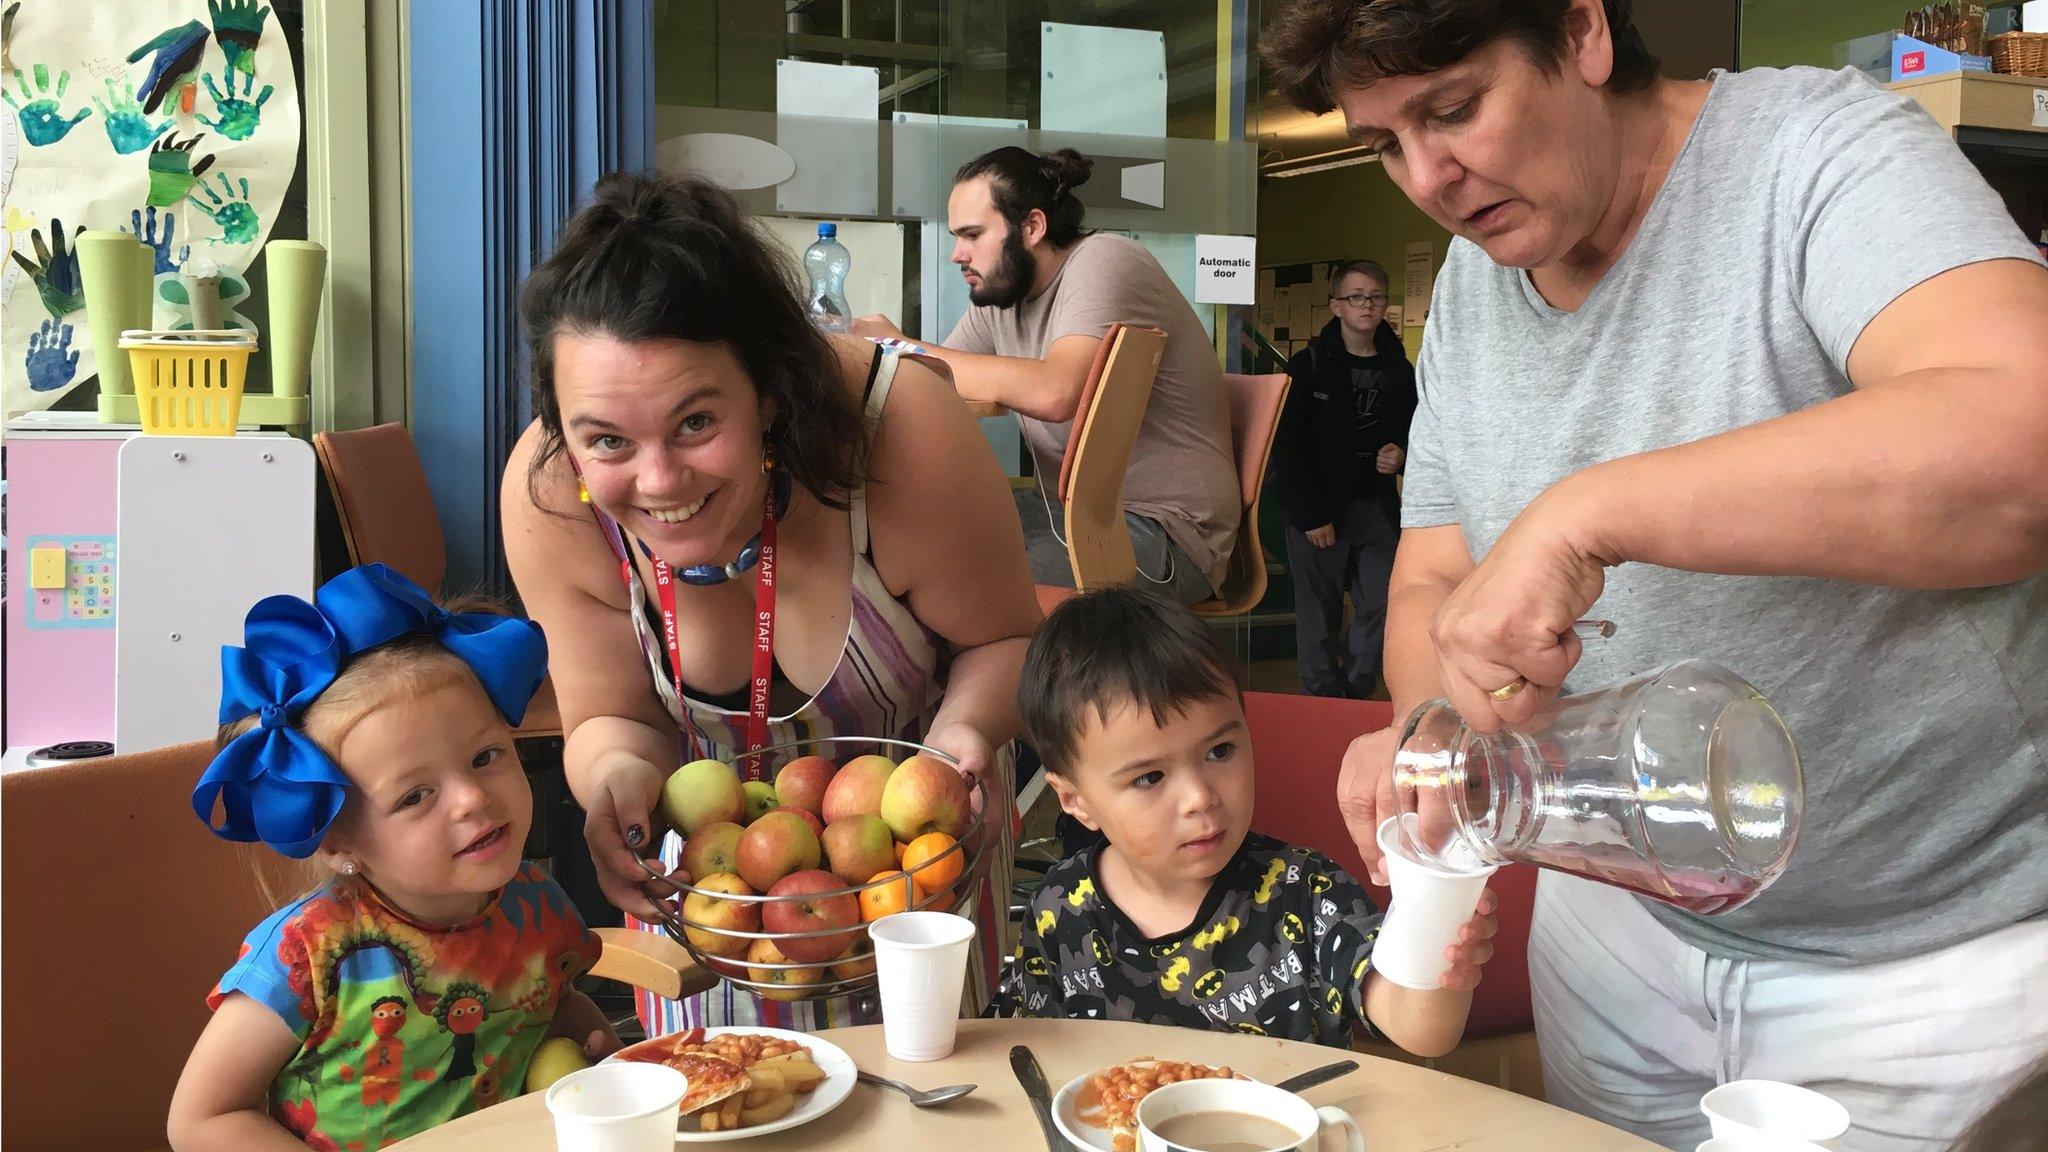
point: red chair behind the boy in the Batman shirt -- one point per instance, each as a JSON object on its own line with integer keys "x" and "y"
{"x": 1297, "y": 745}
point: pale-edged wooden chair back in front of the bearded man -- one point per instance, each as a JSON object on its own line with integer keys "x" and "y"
{"x": 1099, "y": 452}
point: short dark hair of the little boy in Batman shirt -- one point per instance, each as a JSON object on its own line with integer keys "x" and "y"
{"x": 1109, "y": 649}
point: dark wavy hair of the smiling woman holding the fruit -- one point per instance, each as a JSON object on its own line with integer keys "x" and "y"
{"x": 675, "y": 257}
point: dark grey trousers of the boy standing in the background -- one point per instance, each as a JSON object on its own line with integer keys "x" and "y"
{"x": 1361, "y": 563}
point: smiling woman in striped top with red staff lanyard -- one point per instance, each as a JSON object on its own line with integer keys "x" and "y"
{"x": 697, "y": 436}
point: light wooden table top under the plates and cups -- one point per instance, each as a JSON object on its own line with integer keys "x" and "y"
{"x": 1400, "y": 1106}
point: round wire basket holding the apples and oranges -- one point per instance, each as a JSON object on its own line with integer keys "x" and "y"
{"x": 722, "y": 925}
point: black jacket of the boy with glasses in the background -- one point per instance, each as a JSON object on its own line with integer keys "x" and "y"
{"x": 1316, "y": 454}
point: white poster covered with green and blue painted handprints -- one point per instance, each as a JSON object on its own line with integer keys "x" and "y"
{"x": 173, "y": 120}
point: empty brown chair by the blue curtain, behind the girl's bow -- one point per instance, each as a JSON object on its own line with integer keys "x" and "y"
{"x": 388, "y": 518}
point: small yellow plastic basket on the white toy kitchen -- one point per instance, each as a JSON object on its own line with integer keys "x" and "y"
{"x": 189, "y": 384}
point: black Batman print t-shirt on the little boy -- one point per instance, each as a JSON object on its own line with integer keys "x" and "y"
{"x": 1281, "y": 948}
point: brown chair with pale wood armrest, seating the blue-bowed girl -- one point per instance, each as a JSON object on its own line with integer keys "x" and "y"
{"x": 120, "y": 915}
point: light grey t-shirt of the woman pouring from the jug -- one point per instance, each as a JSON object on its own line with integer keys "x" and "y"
{"x": 1801, "y": 206}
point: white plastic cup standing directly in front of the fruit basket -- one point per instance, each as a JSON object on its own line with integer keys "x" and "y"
{"x": 921, "y": 962}
